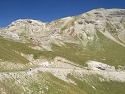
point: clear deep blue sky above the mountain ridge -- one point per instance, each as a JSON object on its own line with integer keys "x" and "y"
{"x": 48, "y": 10}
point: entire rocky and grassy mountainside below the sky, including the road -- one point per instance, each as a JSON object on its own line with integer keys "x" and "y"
{"x": 83, "y": 54}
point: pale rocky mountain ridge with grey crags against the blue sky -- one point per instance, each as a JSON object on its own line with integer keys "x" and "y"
{"x": 110, "y": 22}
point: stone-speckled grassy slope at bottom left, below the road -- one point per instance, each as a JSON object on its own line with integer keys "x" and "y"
{"x": 43, "y": 81}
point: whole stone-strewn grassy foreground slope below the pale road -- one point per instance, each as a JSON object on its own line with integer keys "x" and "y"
{"x": 46, "y": 83}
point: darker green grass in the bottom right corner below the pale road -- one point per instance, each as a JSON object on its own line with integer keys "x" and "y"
{"x": 100, "y": 87}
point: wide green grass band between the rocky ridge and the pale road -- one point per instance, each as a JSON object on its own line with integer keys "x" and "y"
{"x": 104, "y": 48}
